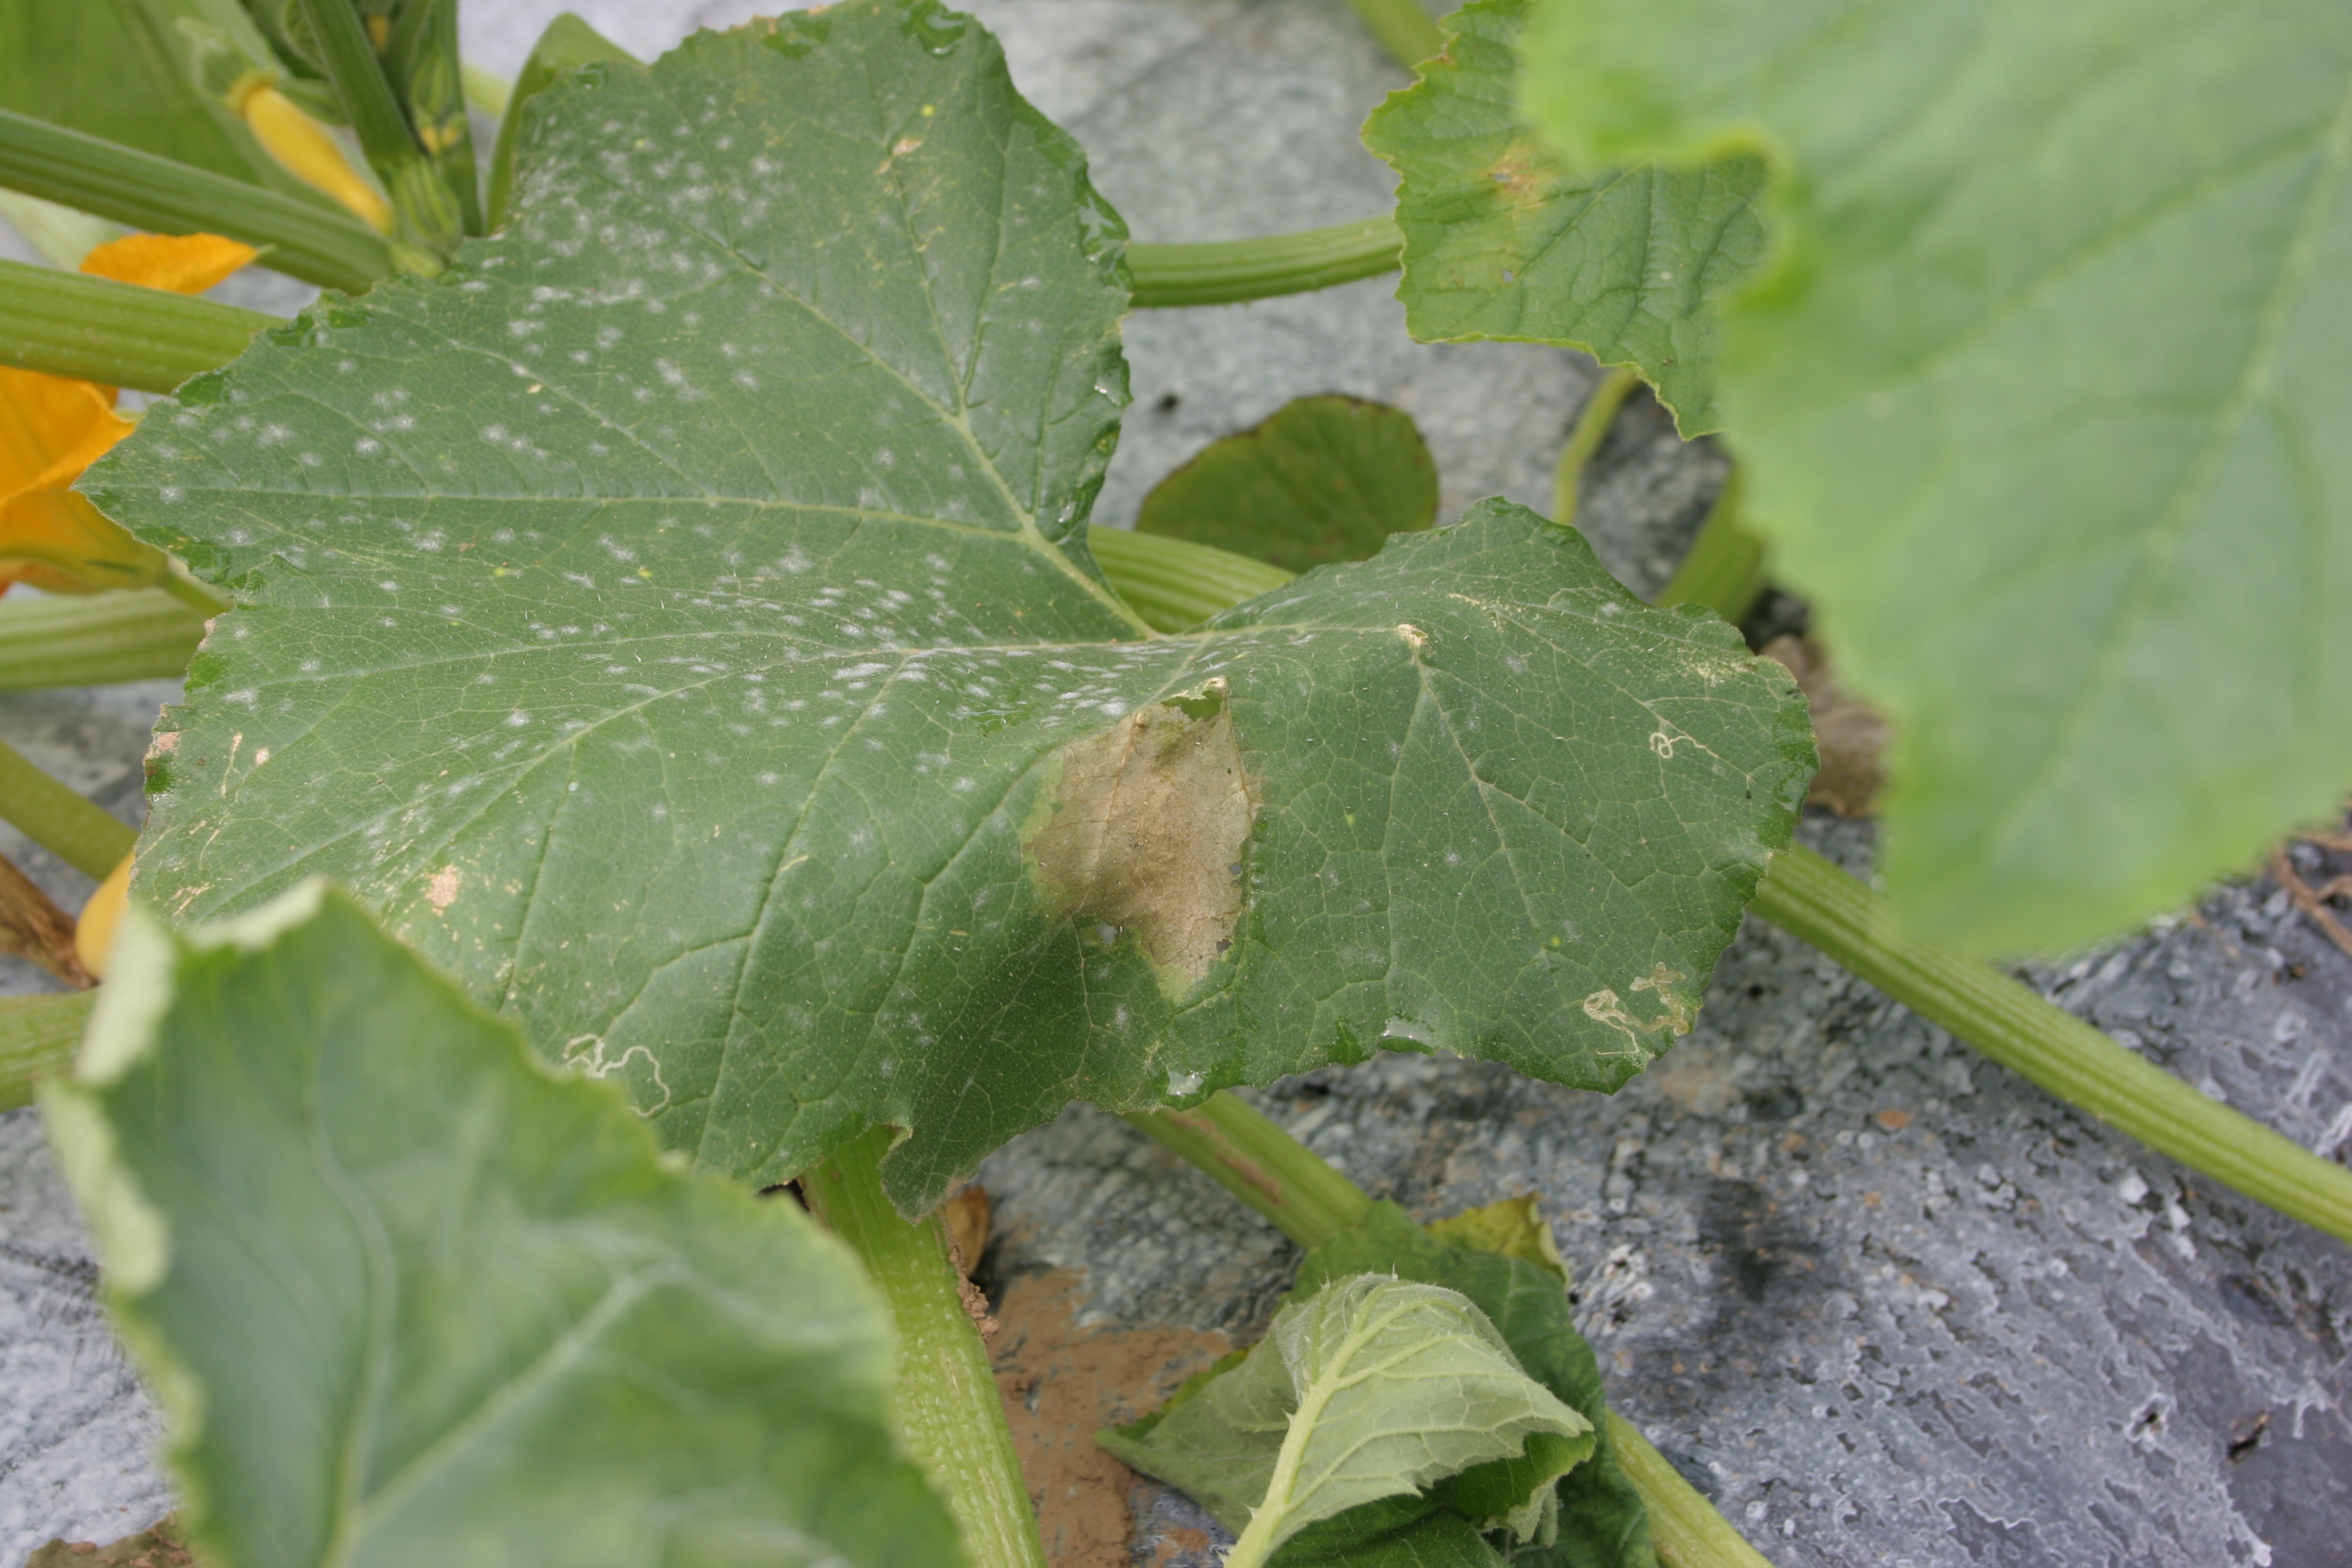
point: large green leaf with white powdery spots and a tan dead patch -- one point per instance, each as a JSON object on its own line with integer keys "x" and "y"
{"x": 679, "y": 622}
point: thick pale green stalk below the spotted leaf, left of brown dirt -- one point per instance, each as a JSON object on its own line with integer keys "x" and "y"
{"x": 947, "y": 1395}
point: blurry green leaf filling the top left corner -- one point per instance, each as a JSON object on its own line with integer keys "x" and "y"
{"x": 119, "y": 69}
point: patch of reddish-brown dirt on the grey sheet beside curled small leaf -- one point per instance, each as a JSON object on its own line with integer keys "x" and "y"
{"x": 1064, "y": 1383}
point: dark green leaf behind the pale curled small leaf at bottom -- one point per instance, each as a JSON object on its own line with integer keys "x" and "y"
{"x": 1603, "y": 1522}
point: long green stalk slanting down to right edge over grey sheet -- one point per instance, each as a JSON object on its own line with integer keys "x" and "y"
{"x": 1817, "y": 902}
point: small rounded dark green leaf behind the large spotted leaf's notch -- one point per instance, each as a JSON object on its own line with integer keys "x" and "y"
{"x": 1321, "y": 481}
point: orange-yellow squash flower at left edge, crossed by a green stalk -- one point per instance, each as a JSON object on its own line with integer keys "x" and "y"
{"x": 55, "y": 427}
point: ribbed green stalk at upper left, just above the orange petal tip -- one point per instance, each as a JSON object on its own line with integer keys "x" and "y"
{"x": 156, "y": 194}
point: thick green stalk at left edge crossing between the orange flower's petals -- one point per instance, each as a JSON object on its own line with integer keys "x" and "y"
{"x": 112, "y": 333}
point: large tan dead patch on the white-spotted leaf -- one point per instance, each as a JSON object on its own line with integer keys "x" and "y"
{"x": 1147, "y": 831}
